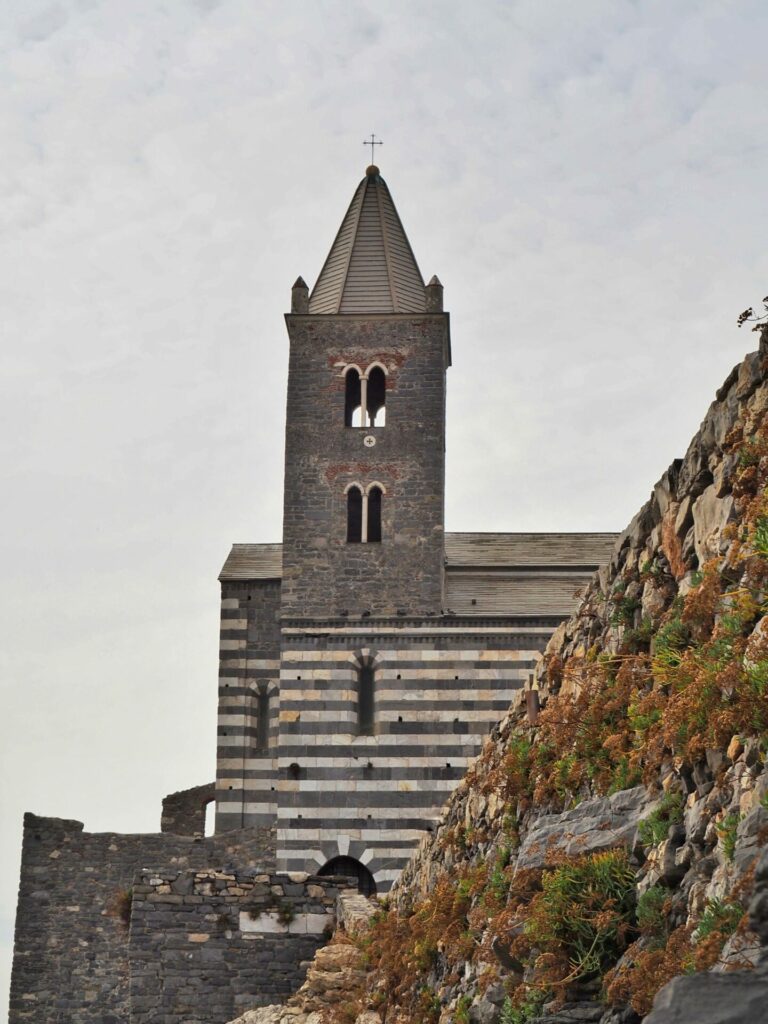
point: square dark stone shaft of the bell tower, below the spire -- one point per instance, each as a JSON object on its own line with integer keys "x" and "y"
{"x": 322, "y": 574}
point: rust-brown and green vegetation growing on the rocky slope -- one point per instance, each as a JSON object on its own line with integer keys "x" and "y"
{"x": 676, "y": 688}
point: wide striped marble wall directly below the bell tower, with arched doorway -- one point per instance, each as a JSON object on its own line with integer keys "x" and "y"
{"x": 438, "y": 694}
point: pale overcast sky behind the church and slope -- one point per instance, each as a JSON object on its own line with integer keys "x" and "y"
{"x": 587, "y": 181}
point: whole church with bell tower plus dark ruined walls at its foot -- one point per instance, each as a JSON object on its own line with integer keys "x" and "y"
{"x": 364, "y": 662}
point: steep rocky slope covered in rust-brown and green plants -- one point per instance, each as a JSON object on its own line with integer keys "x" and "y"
{"x": 609, "y": 839}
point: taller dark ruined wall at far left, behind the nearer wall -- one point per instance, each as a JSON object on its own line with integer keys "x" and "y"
{"x": 71, "y": 960}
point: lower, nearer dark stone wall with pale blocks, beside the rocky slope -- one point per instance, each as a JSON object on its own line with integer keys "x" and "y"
{"x": 206, "y": 945}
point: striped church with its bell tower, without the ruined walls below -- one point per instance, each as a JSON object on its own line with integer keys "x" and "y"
{"x": 365, "y": 660}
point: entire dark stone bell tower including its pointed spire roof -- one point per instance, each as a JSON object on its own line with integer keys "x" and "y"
{"x": 363, "y": 527}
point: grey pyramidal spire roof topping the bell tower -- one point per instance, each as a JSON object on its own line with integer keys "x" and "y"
{"x": 371, "y": 267}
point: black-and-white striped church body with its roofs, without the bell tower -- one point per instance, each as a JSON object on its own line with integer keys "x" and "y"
{"x": 440, "y": 685}
